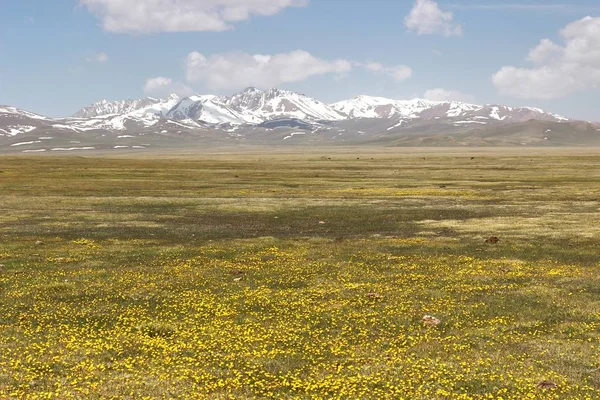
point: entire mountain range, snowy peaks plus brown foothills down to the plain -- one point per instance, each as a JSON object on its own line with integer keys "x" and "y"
{"x": 277, "y": 116}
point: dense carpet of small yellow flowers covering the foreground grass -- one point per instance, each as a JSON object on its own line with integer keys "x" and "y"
{"x": 294, "y": 321}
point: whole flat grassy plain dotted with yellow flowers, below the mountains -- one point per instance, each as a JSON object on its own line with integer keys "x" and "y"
{"x": 300, "y": 276}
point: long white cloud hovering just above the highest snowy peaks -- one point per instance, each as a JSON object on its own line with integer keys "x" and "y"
{"x": 237, "y": 70}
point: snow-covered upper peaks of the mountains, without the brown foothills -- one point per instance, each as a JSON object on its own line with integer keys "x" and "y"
{"x": 253, "y": 106}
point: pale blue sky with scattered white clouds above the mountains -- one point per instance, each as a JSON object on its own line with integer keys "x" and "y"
{"x": 61, "y": 55}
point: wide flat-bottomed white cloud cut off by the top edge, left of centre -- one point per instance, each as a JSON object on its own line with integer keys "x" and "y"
{"x": 152, "y": 16}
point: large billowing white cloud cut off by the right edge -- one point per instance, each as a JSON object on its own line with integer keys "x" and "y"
{"x": 560, "y": 70}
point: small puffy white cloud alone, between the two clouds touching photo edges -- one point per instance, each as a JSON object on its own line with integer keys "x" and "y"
{"x": 426, "y": 18}
